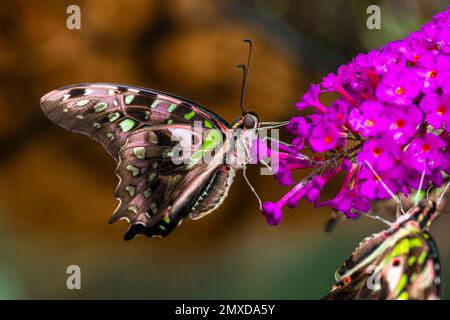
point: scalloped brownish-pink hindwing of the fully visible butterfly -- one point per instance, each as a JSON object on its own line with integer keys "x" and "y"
{"x": 155, "y": 183}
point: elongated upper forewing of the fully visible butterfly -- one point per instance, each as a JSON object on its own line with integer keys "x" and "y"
{"x": 108, "y": 113}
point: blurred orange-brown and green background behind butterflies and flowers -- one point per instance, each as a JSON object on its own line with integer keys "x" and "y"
{"x": 56, "y": 187}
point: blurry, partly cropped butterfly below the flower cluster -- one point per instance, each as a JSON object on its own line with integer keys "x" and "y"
{"x": 401, "y": 262}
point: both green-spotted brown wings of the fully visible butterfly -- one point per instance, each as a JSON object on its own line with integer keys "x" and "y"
{"x": 140, "y": 129}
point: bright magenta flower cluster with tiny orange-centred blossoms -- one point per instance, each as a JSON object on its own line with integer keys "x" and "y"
{"x": 387, "y": 133}
